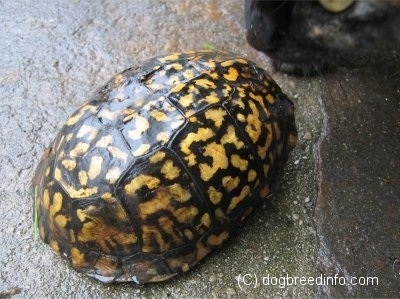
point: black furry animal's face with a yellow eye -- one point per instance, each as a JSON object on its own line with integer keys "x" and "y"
{"x": 307, "y": 37}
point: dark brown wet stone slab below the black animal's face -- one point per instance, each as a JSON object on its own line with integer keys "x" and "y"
{"x": 358, "y": 217}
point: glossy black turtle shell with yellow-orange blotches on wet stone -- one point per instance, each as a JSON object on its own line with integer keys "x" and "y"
{"x": 162, "y": 165}
